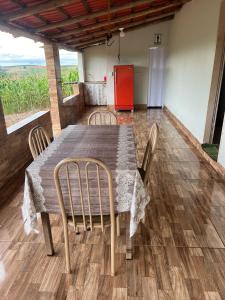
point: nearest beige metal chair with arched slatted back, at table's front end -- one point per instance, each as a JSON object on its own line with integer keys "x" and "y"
{"x": 79, "y": 176}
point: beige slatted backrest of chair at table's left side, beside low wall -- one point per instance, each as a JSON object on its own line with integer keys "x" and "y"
{"x": 38, "y": 140}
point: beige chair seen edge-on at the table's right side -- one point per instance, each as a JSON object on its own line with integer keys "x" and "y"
{"x": 149, "y": 154}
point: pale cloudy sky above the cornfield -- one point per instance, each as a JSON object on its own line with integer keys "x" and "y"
{"x": 24, "y": 51}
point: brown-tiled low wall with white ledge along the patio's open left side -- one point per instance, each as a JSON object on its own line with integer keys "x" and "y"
{"x": 15, "y": 154}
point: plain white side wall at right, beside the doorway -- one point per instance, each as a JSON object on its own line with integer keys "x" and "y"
{"x": 192, "y": 45}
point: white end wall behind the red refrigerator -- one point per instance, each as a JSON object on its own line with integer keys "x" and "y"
{"x": 99, "y": 61}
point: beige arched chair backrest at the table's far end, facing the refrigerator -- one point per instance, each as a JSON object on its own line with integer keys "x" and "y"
{"x": 102, "y": 117}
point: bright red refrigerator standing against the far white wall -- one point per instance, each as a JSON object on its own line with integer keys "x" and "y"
{"x": 124, "y": 87}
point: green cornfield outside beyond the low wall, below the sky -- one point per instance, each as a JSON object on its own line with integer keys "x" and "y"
{"x": 25, "y": 88}
